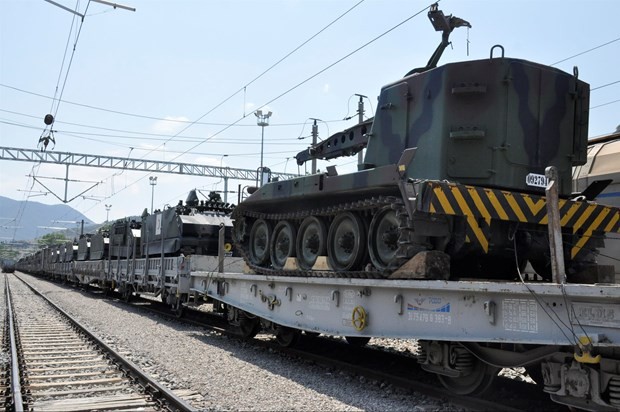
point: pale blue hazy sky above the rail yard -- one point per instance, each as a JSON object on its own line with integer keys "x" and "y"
{"x": 180, "y": 81}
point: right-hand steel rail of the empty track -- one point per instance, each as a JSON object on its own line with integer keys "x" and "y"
{"x": 152, "y": 387}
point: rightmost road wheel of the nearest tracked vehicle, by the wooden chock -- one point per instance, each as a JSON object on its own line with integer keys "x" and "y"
{"x": 383, "y": 237}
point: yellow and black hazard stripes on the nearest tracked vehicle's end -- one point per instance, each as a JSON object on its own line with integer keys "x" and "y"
{"x": 479, "y": 206}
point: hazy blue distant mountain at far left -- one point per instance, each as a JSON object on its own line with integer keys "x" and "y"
{"x": 27, "y": 220}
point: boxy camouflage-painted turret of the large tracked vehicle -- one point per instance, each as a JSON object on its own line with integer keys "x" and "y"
{"x": 487, "y": 122}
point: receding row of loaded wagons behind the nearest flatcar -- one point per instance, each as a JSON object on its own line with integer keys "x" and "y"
{"x": 132, "y": 253}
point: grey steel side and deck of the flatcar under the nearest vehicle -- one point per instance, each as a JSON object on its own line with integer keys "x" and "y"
{"x": 480, "y": 311}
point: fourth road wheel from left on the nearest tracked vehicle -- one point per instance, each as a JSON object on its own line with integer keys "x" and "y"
{"x": 346, "y": 242}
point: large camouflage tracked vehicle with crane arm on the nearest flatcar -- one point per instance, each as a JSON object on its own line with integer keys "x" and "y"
{"x": 452, "y": 183}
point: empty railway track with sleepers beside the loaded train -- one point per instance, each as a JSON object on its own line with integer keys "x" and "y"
{"x": 62, "y": 366}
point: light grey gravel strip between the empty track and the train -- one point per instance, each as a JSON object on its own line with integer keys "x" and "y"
{"x": 229, "y": 374}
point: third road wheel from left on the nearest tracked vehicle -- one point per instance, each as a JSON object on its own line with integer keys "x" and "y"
{"x": 311, "y": 241}
